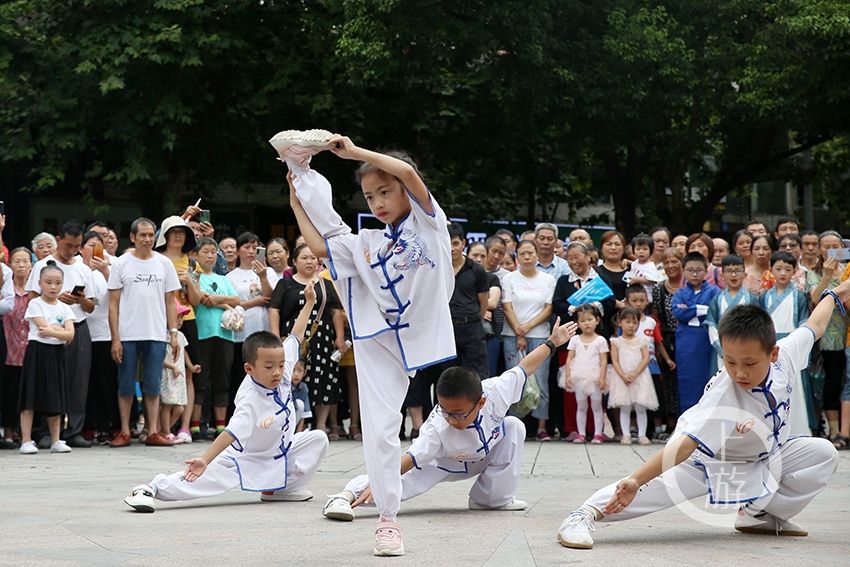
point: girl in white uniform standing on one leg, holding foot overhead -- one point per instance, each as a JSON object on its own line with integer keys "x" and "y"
{"x": 395, "y": 285}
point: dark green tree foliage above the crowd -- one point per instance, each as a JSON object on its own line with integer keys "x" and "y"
{"x": 667, "y": 106}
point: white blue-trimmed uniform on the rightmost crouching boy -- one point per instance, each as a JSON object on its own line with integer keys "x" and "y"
{"x": 745, "y": 453}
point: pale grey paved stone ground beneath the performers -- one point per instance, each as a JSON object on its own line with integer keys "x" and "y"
{"x": 68, "y": 510}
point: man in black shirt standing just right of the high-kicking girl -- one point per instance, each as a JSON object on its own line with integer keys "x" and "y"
{"x": 467, "y": 305}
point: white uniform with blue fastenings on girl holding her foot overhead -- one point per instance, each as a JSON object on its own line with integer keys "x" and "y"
{"x": 395, "y": 285}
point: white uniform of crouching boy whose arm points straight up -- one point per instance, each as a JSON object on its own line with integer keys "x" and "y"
{"x": 266, "y": 455}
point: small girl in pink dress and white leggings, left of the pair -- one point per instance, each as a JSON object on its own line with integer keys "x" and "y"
{"x": 584, "y": 372}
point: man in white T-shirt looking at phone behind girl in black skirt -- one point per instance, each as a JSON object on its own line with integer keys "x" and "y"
{"x": 78, "y": 294}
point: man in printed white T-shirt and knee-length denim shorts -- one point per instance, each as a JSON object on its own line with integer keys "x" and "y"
{"x": 142, "y": 320}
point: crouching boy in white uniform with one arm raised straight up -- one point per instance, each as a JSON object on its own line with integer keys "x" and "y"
{"x": 258, "y": 451}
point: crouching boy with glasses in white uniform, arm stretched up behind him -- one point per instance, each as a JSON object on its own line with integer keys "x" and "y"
{"x": 467, "y": 435}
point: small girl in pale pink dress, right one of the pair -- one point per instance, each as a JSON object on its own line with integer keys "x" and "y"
{"x": 629, "y": 382}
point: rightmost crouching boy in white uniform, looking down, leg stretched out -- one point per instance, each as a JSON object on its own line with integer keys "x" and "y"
{"x": 746, "y": 455}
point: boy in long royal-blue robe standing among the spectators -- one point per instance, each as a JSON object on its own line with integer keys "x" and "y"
{"x": 694, "y": 354}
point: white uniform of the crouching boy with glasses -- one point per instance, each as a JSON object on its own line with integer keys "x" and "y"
{"x": 490, "y": 448}
